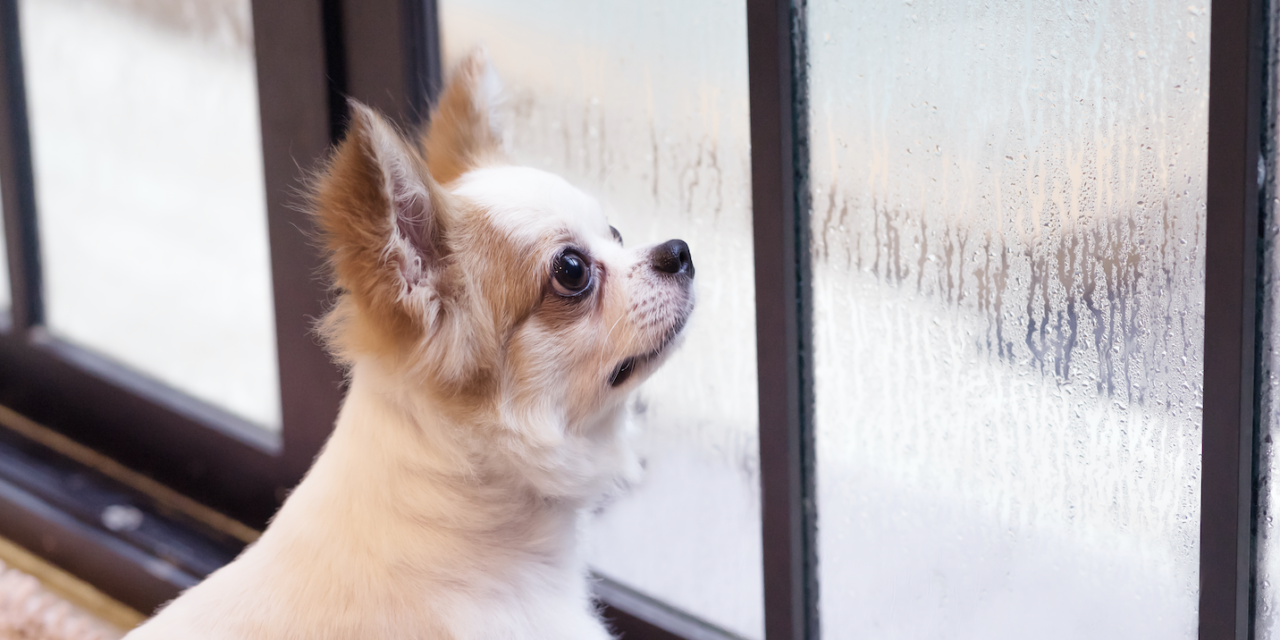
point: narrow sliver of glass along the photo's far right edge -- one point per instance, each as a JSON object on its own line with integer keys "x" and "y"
{"x": 1268, "y": 589}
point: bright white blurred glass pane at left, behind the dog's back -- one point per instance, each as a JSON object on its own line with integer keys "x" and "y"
{"x": 150, "y": 191}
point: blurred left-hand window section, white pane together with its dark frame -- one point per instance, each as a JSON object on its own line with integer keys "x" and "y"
{"x": 170, "y": 189}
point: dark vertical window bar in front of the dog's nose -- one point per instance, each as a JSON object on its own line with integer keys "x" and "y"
{"x": 780, "y": 195}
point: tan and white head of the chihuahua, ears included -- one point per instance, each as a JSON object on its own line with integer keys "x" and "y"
{"x": 499, "y": 289}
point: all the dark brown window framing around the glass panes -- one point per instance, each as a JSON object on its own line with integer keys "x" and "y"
{"x": 312, "y": 57}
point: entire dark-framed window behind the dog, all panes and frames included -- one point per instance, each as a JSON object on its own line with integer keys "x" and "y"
{"x": 976, "y": 345}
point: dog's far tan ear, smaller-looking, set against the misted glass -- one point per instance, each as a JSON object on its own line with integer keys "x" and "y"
{"x": 464, "y": 130}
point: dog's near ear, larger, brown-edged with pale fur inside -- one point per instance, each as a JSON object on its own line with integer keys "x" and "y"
{"x": 383, "y": 222}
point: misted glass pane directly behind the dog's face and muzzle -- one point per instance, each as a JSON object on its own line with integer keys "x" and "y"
{"x": 646, "y": 106}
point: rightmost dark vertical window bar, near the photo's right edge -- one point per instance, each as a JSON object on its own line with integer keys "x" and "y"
{"x": 1236, "y": 129}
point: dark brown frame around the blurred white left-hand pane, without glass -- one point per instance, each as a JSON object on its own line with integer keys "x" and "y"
{"x": 186, "y": 444}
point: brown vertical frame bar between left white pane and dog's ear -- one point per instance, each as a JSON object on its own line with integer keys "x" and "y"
{"x": 294, "y": 81}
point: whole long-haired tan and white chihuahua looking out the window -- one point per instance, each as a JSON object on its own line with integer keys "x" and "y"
{"x": 493, "y": 326}
